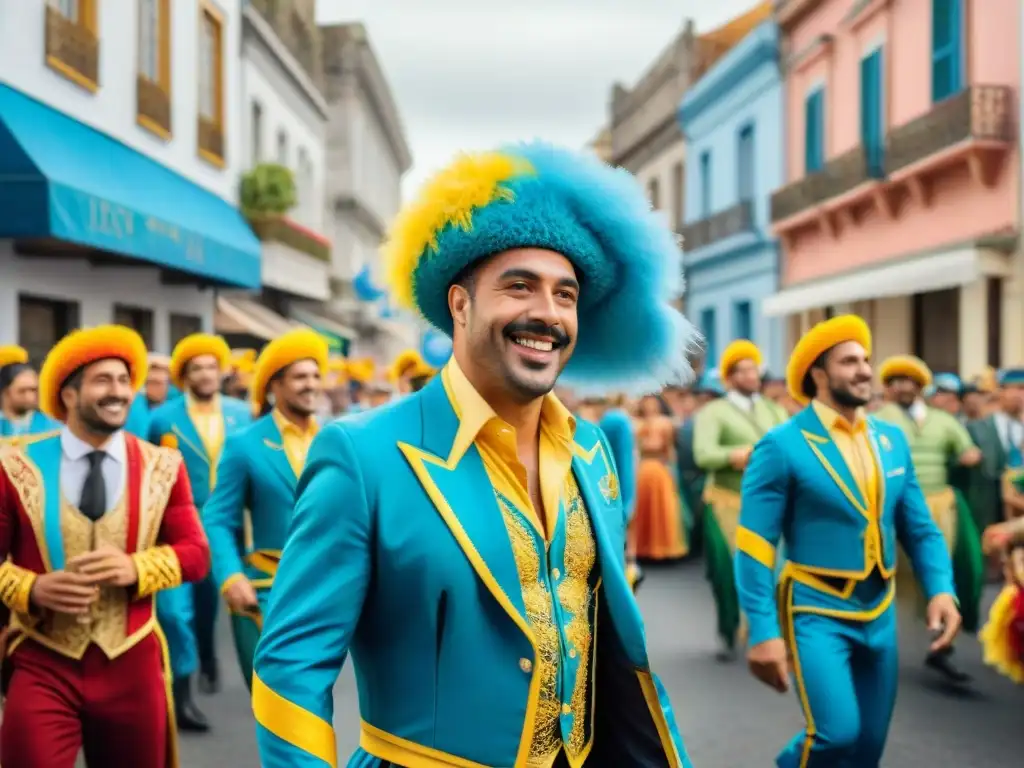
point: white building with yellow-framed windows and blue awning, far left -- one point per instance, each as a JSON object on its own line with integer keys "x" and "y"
{"x": 120, "y": 151}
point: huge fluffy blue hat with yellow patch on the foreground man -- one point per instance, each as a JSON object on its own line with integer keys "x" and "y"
{"x": 631, "y": 339}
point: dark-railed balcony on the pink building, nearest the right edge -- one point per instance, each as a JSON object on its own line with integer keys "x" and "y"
{"x": 976, "y": 126}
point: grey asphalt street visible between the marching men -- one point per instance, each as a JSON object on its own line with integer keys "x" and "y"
{"x": 729, "y": 720}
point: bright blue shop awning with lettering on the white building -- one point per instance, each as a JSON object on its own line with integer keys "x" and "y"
{"x": 63, "y": 180}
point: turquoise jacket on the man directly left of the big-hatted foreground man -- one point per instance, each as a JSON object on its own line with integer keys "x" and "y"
{"x": 253, "y": 475}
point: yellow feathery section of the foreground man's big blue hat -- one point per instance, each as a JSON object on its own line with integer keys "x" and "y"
{"x": 449, "y": 199}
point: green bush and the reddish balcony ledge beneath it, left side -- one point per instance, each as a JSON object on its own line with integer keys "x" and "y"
{"x": 268, "y": 195}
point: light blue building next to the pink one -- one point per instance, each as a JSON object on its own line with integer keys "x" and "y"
{"x": 733, "y": 121}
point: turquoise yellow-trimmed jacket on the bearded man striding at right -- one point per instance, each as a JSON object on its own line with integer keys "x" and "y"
{"x": 798, "y": 488}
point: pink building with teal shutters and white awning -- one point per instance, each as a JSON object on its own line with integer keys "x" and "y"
{"x": 904, "y": 195}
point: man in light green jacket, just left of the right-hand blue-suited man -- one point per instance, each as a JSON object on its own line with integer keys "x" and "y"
{"x": 724, "y": 435}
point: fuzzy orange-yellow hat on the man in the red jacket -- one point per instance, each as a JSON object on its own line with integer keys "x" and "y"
{"x": 83, "y": 348}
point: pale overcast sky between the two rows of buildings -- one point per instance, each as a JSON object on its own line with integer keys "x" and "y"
{"x": 473, "y": 74}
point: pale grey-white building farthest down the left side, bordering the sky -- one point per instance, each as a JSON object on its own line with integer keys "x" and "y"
{"x": 368, "y": 156}
